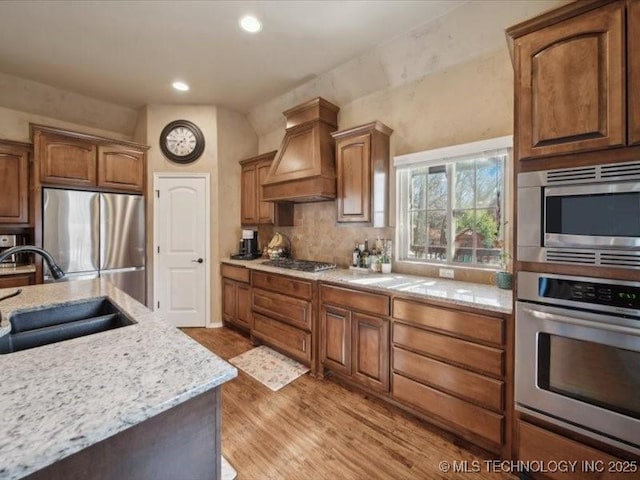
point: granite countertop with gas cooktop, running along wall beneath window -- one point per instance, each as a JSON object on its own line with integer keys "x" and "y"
{"x": 477, "y": 295}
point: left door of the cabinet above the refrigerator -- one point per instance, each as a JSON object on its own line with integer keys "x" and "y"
{"x": 66, "y": 161}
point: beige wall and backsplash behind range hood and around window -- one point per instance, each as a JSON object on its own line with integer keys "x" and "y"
{"x": 468, "y": 102}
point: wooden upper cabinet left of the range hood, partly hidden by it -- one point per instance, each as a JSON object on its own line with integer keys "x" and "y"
{"x": 254, "y": 210}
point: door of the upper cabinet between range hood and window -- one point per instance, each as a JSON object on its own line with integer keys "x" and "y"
{"x": 353, "y": 161}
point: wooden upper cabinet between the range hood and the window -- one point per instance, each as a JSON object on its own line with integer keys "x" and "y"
{"x": 362, "y": 163}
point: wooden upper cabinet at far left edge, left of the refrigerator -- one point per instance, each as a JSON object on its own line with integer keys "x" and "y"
{"x": 14, "y": 182}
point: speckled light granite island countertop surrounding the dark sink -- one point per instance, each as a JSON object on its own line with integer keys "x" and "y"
{"x": 61, "y": 398}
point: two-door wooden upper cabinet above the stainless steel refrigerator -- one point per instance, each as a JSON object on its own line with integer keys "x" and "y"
{"x": 77, "y": 160}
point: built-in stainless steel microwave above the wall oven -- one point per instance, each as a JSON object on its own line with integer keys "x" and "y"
{"x": 584, "y": 215}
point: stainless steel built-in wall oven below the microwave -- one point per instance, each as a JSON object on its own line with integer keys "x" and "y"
{"x": 578, "y": 355}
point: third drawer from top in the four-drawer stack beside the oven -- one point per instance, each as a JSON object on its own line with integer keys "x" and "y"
{"x": 457, "y": 381}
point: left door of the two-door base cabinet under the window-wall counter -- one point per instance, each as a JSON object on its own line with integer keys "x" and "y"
{"x": 336, "y": 339}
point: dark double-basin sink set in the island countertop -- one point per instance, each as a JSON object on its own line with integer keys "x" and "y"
{"x": 41, "y": 326}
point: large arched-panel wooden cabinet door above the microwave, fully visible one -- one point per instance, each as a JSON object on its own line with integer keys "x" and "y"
{"x": 570, "y": 85}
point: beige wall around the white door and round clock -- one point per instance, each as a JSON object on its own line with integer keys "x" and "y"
{"x": 229, "y": 138}
